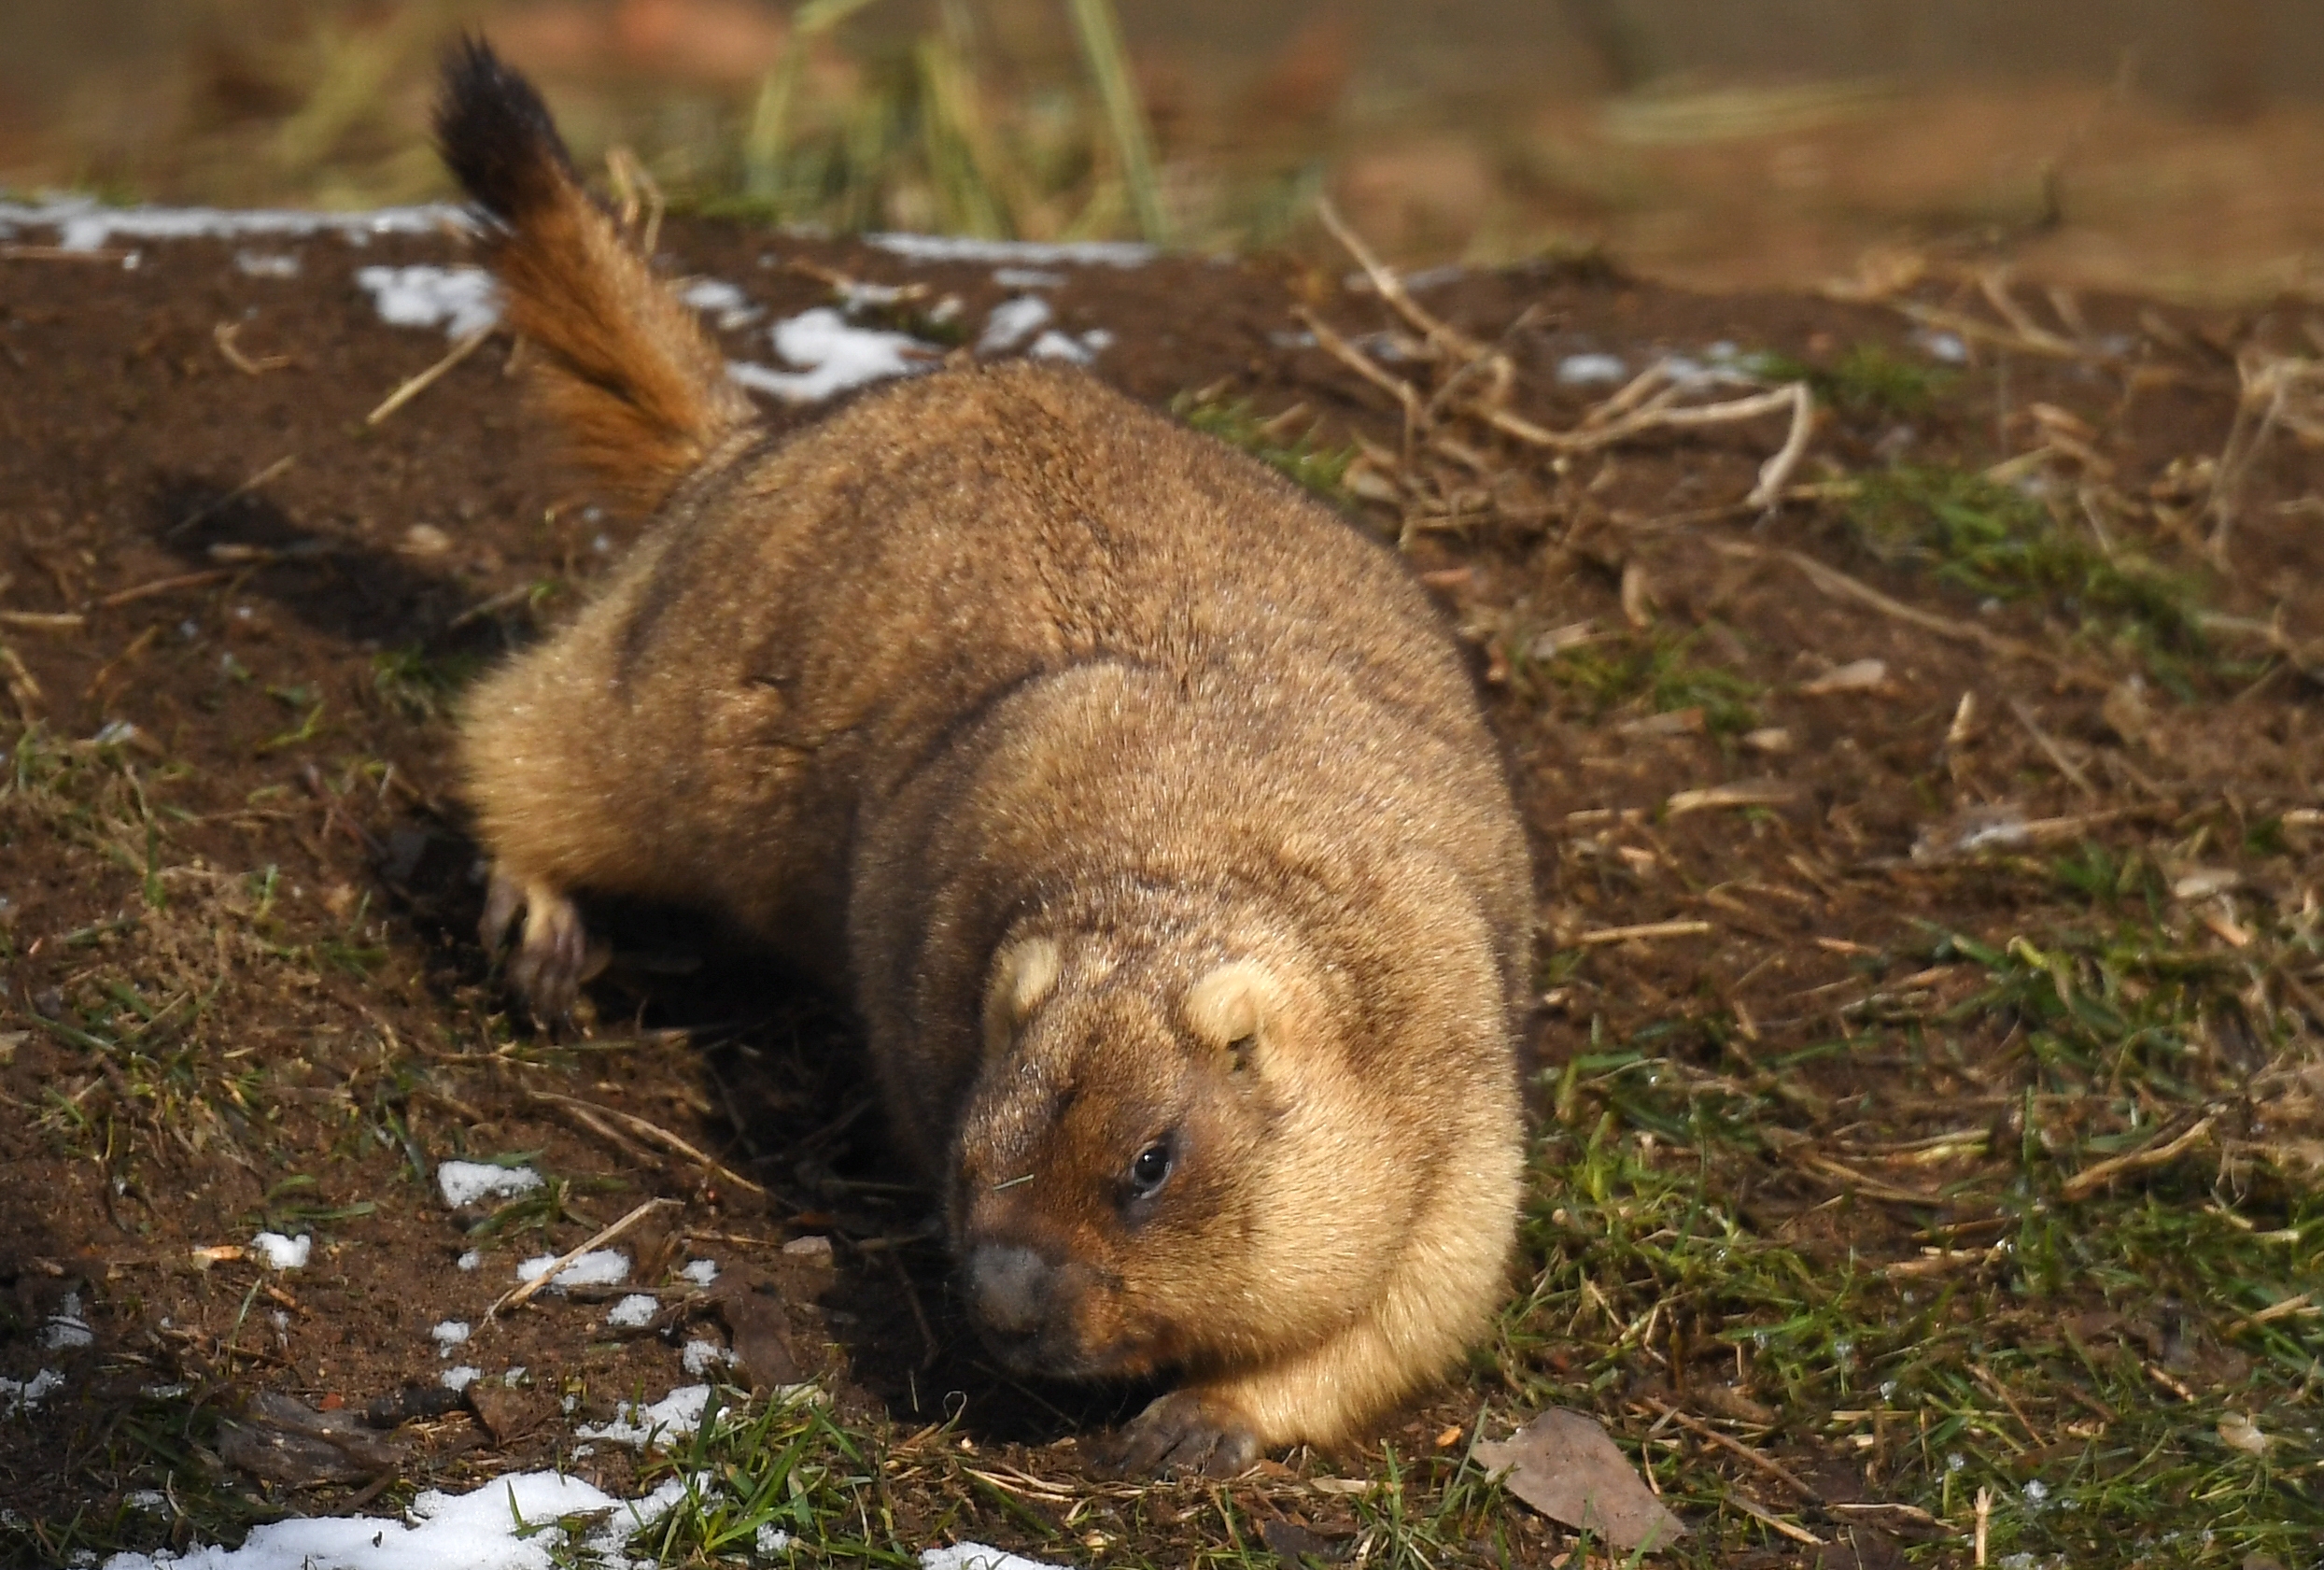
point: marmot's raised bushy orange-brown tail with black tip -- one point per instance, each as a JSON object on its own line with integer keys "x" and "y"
{"x": 631, "y": 373}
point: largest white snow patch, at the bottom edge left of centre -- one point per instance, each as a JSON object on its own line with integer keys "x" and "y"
{"x": 508, "y": 1525}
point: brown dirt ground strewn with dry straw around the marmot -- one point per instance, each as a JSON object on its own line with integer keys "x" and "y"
{"x": 238, "y": 901}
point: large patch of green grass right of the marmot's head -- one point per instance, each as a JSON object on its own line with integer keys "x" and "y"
{"x": 2083, "y": 1353}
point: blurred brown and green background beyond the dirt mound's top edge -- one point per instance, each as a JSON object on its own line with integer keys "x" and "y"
{"x": 2158, "y": 145}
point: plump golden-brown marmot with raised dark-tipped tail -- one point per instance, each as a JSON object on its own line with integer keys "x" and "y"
{"x": 1142, "y": 806}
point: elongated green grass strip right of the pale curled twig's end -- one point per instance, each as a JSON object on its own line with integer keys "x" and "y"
{"x": 2004, "y": 545}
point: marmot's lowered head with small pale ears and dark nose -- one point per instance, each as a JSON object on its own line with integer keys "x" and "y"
{"x": 1168, "y": 1159}
